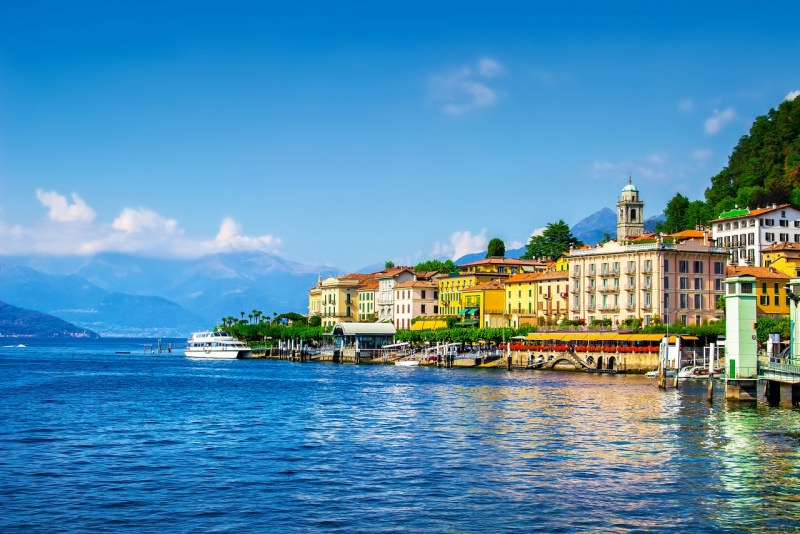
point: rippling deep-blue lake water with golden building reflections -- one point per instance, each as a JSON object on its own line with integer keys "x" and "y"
{"x": 91, "y": 440}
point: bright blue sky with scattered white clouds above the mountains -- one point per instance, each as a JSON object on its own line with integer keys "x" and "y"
{"x": 349, "y": 134}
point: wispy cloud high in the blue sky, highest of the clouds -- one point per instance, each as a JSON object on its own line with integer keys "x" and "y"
{"x": 461, "y": 91}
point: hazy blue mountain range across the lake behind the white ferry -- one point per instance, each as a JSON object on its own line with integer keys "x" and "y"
{"x": 120, "y": 294}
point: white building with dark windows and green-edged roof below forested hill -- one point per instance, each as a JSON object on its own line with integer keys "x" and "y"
{"x": 745, "y": 232}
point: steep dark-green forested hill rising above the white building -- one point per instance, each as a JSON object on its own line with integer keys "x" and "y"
{"x": 764, "y": 168}
